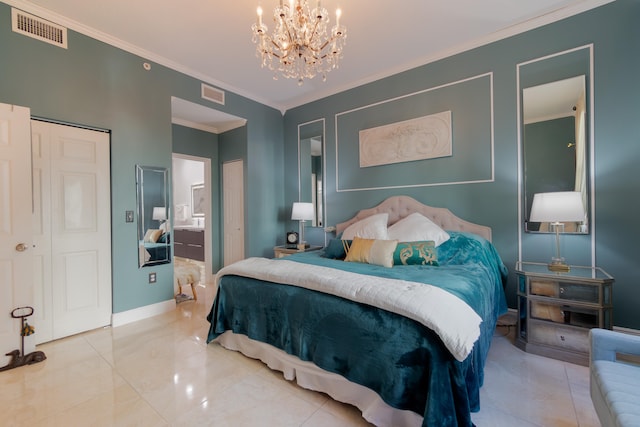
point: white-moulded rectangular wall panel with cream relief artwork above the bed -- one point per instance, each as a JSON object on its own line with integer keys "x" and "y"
{"x": 394, "y": 152}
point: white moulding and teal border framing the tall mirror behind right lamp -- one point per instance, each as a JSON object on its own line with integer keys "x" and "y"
{"x": 523, "y": 211}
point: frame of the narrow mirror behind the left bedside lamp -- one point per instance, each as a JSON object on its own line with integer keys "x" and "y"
{"x": 317, "y": 185}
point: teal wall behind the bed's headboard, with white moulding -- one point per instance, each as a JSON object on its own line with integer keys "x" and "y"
{"x": 614, "y": 32}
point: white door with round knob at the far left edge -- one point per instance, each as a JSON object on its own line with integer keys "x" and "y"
{"x": 16, "y": 289}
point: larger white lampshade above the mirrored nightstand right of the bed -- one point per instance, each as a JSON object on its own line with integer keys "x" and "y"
{"x": 563, "y": 206}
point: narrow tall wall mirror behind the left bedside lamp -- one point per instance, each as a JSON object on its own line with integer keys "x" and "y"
{"x": 311, "y": 168}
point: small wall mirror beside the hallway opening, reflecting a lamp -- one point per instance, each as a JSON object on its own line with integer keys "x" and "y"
{"x": 154, "y": 225}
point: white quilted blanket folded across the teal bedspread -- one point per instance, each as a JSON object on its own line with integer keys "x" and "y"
{"x": 457, "y": 324}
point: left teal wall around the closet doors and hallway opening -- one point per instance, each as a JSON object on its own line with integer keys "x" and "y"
{"x": 94, "y": 84}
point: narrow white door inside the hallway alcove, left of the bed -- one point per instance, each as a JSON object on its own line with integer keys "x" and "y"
{"x": 233, "y": 201}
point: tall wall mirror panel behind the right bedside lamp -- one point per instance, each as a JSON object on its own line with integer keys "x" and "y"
{"x": 555, "y": 137}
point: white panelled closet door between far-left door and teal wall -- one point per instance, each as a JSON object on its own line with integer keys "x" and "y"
{"x": 72, "y": 228}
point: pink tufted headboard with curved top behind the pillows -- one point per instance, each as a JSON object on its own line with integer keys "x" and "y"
{"x": 399, "y": 207}
